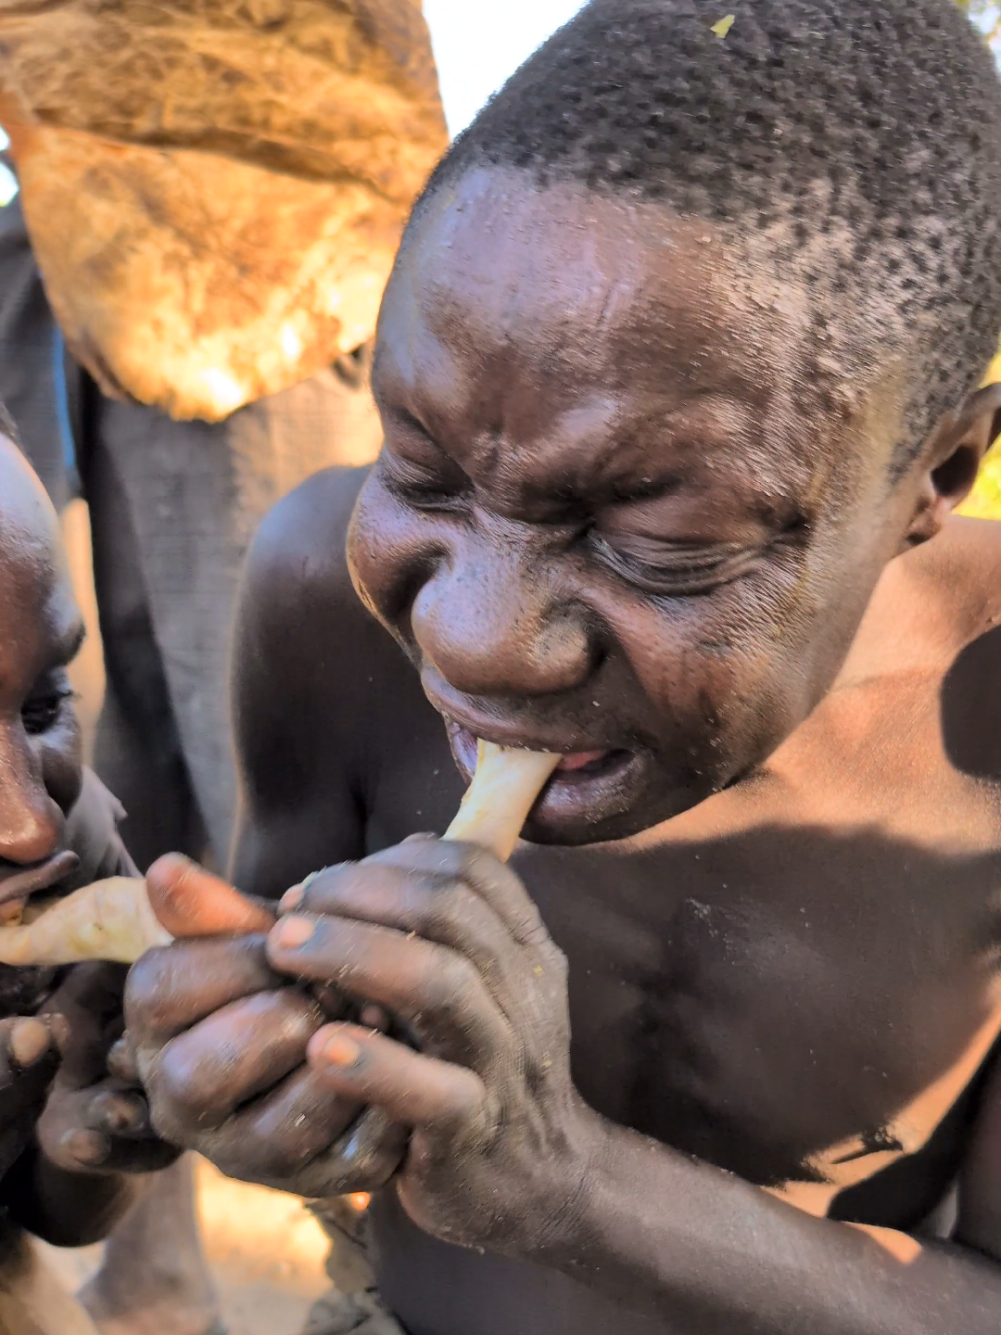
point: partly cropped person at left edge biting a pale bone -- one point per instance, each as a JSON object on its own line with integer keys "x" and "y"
{"x": 73, "y": 1139}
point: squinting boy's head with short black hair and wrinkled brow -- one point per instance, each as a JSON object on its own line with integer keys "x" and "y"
{"x": 677, "y": 356}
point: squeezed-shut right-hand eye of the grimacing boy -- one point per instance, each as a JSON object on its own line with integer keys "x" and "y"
{"x": 675, "y": 569}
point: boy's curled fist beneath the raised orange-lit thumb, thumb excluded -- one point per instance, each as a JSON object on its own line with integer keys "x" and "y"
{"x": 221, "y": 1041}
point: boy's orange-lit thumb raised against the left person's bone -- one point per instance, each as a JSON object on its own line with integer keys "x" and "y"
{"x": 190, "y": 902}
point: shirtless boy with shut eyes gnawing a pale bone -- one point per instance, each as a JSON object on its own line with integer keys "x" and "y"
{"x": 679, "y": 378}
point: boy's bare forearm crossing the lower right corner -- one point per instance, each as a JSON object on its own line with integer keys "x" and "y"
{"x": 709, "y": 1254}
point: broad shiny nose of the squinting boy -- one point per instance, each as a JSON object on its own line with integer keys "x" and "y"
{"x": 492, "y": 627}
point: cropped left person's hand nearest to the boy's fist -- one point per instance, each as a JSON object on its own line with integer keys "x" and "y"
{"x": 94, "y": 1121}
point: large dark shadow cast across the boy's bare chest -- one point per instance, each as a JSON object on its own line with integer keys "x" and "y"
{"x": 759, "y": 999}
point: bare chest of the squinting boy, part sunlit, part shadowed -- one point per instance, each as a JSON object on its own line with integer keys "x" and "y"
{"x": 780, "y": 974}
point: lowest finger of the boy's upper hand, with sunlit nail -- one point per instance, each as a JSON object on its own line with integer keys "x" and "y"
{"x": 413, "y": 1090}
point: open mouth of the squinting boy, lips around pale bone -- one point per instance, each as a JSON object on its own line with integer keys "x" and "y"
{"x": 587, "y": 786}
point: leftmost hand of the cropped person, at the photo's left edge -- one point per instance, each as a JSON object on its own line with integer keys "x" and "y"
{"x": 29, "y": 1062}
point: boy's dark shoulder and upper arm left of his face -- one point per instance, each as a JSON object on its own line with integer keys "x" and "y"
{"x": 298, "y": 694}
